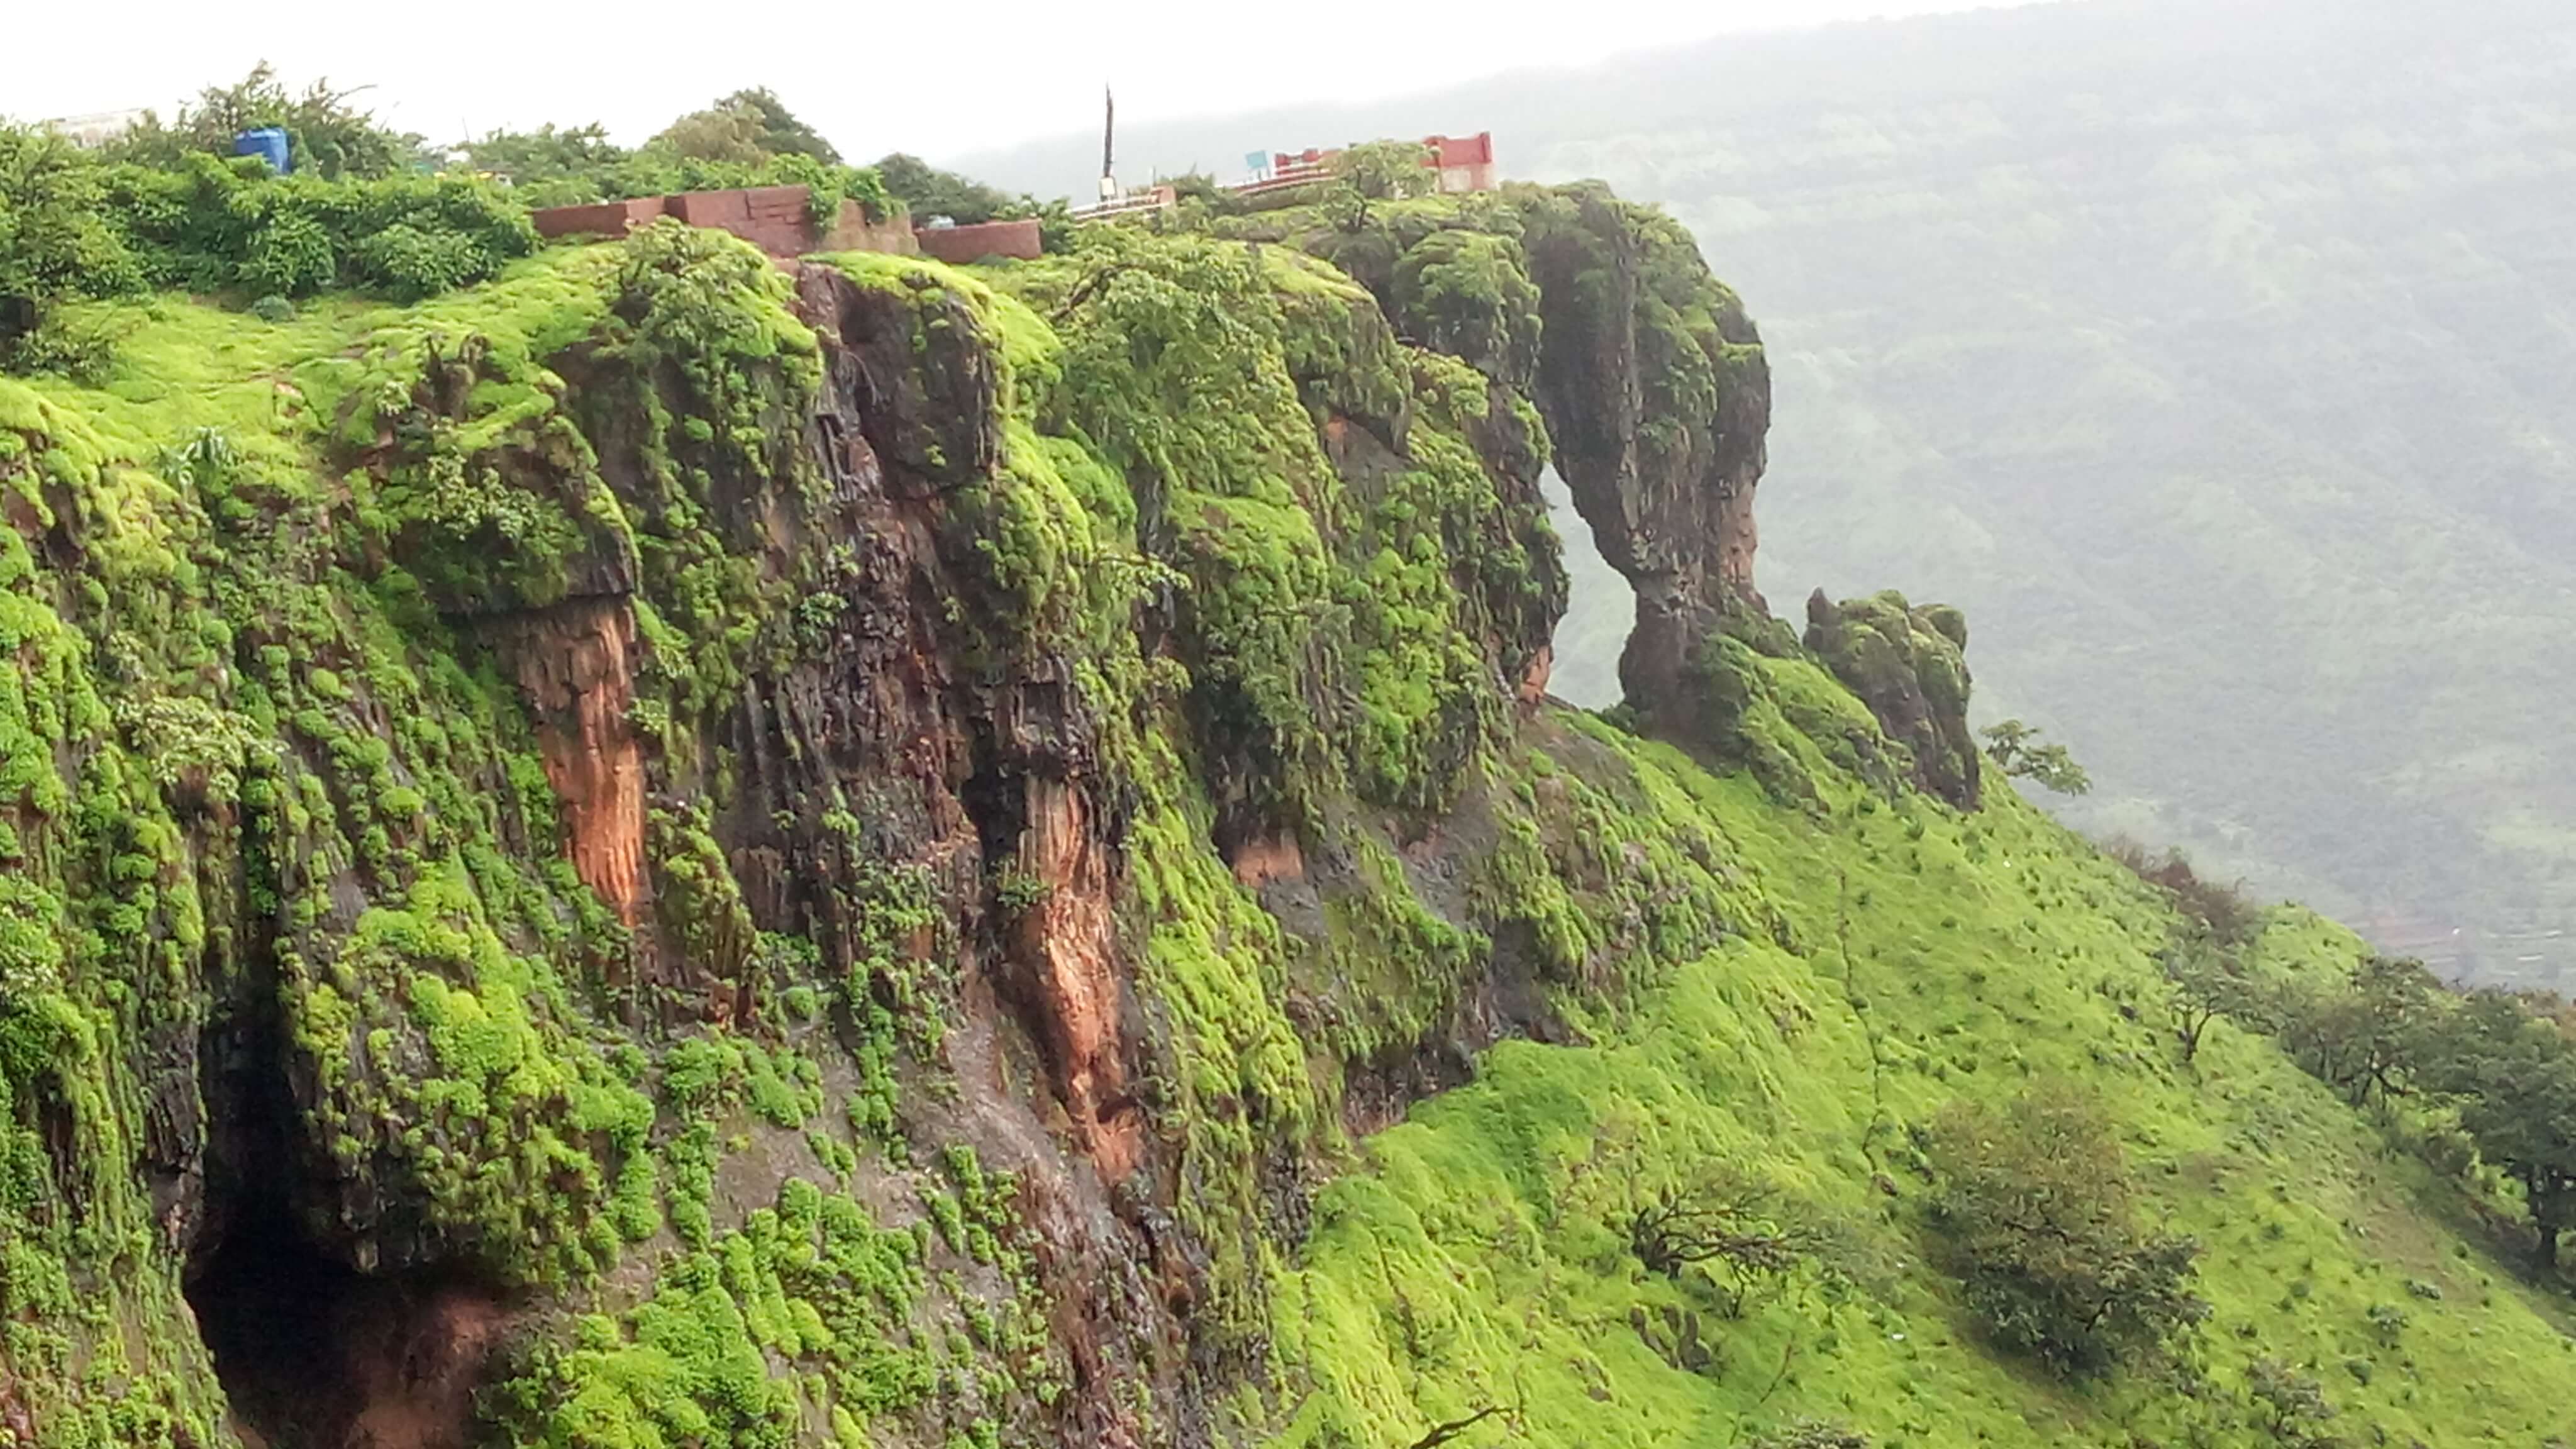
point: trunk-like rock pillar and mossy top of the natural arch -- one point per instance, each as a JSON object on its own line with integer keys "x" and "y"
{"x": 1650, "y": 383}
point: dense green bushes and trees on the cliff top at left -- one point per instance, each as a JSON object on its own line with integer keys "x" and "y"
{"x": 365, "y": 208}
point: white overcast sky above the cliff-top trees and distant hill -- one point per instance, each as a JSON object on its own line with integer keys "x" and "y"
{"x": 923, "y": 79}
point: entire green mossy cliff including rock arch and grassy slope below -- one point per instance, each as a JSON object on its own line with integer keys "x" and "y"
{"x": 676, "y": 852}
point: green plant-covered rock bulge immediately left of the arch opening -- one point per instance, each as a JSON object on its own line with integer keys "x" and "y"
{"x": 1349, "y": 615}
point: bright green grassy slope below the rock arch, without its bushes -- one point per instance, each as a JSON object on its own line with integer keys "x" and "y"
{"x": 1477, "y": 1265}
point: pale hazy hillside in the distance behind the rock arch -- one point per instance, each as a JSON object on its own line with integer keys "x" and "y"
{"x": 2219, "y": 360}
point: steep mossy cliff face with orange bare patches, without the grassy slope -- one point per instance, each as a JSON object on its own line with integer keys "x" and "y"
{"x": 694, "y": 855}
